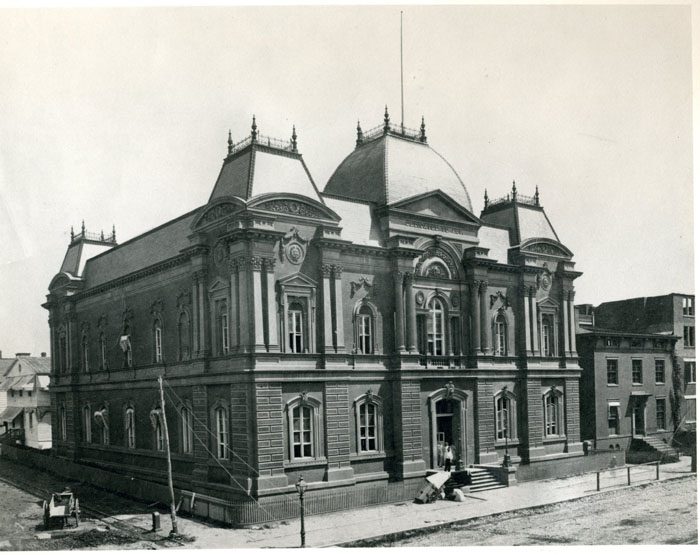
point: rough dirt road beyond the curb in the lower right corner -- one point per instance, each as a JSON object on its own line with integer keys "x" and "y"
{"x": 654, "y": 513}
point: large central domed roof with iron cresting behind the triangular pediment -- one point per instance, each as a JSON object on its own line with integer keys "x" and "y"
{"x": 394, "y": 167}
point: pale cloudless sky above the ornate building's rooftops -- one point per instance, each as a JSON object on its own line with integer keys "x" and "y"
{"x": 120, "y": 116}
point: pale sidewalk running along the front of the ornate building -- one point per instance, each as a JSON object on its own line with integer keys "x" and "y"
{"x": 348, "y": 526}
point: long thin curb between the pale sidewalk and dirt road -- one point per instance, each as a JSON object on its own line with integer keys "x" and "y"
{"x": 422, "y": 530}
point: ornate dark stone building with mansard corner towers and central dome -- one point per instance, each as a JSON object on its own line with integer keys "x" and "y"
{"x": 346, "y": 335}
